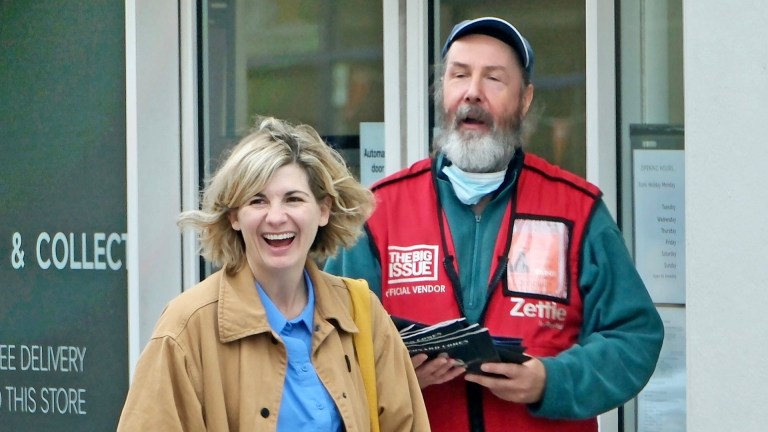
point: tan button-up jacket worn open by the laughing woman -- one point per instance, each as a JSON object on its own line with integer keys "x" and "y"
{"x": 214, "y": 364}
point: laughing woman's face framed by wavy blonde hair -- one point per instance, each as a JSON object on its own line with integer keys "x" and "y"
{"x": 279, "y": 224}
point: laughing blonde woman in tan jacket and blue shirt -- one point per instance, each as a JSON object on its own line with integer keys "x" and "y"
{"x": 266, "y": 343}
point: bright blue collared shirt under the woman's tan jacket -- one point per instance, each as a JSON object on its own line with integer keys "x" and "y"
{"x": 306, "y": 404}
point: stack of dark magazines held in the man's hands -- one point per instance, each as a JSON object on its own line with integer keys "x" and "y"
{"x": 469, "y": 344}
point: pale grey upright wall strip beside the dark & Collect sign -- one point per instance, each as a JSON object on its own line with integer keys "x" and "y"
{"x": 153, "y": 112}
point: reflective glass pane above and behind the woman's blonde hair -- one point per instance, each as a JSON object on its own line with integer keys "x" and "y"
{"x": 307, "y": 61}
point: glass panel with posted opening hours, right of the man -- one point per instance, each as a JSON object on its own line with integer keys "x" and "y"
{"x": 652, "y": 190}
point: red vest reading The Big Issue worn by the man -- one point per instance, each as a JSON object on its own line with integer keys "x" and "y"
{"x": 535, "y": 294}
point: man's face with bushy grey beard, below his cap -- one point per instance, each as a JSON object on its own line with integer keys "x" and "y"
{"x": 484, "y": 101}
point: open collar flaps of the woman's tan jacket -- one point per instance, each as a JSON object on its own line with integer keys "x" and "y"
{"x": 241, "y": 312}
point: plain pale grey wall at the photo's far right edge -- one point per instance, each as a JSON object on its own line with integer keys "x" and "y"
{"x": 726, "y": 119}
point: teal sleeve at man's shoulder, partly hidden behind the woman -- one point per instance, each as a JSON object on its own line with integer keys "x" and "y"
{"x": 357, "y": 262}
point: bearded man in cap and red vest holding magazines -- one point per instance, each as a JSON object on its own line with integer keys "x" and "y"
{"x": 505, "y": 239}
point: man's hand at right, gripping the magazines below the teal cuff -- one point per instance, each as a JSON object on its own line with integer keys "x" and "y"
{"x": 518, "y": 383}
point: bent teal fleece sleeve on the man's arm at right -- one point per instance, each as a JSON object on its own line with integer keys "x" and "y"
{"x": 620, "y": 338}
